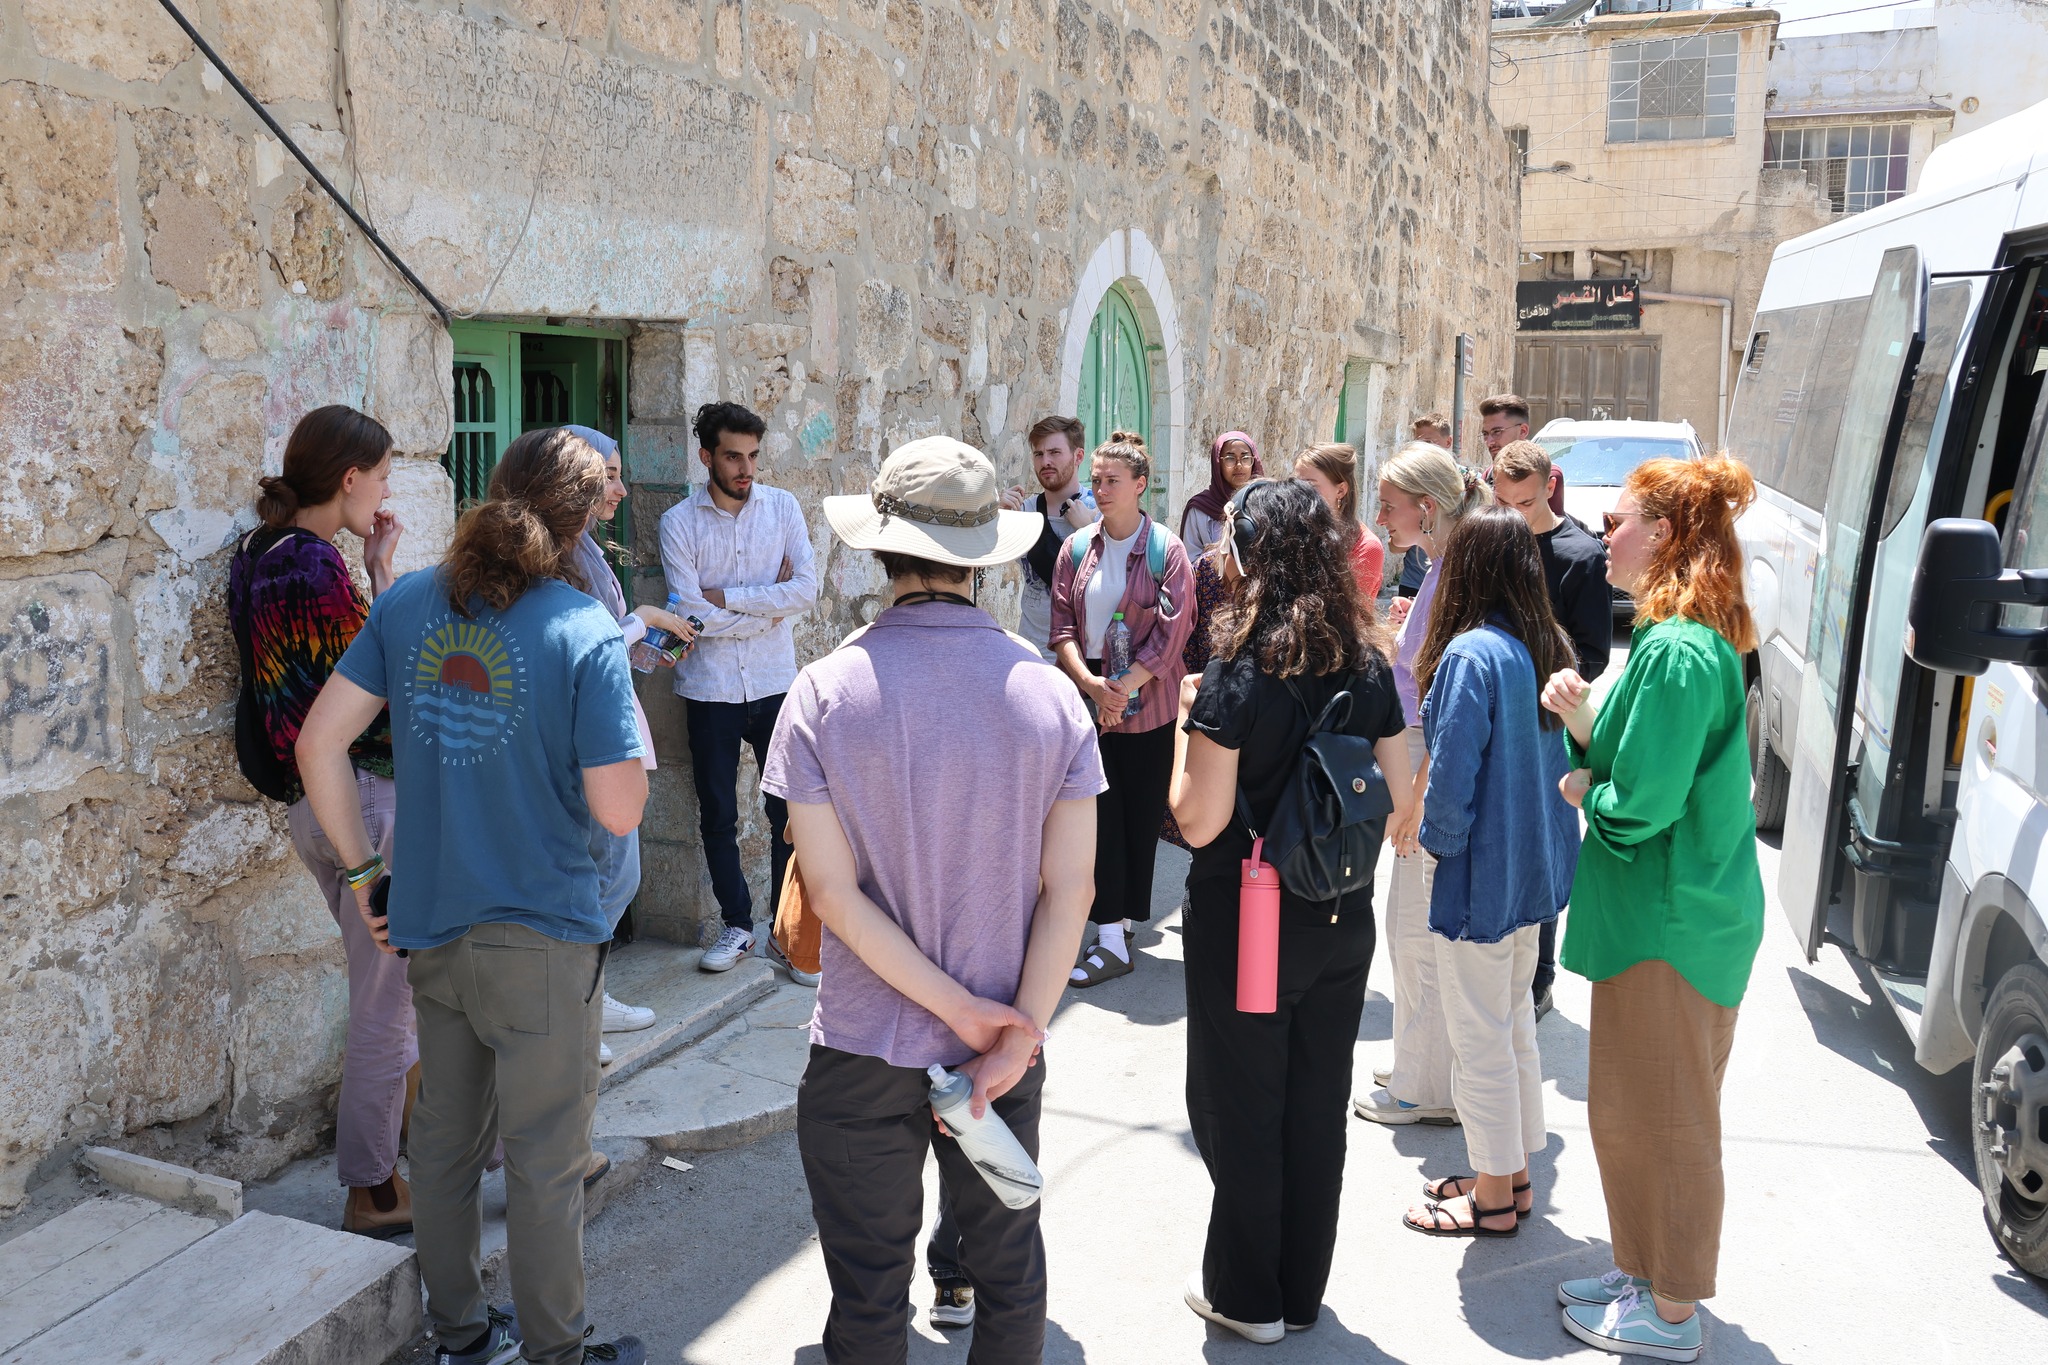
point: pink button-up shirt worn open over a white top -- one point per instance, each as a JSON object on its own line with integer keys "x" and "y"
{"x": 1158, "y": 625}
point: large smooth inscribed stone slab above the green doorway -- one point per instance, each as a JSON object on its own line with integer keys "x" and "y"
{"x": 652, "y": 185}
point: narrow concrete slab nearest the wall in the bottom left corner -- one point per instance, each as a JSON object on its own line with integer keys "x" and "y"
{"x": 81, "y": 1258}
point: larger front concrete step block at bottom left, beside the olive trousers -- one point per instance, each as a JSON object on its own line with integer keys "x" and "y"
{"x": 259, "y": 1292}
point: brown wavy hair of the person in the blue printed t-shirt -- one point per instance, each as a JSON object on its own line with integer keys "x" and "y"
{"x": 542, "y": 498}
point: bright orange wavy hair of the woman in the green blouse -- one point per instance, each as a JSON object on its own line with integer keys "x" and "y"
{"x": 1699, "y": 568}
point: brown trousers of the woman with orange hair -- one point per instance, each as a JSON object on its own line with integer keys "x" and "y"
{"x": 1654, "y": 1102}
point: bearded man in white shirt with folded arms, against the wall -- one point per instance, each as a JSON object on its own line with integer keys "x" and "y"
{"x": 740, "y": 558}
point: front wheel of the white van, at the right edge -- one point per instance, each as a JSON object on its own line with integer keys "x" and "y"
{"x": 2012, "y": 1116}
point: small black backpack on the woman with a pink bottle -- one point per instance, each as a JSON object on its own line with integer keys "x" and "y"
{"x": 1324, "y": 838}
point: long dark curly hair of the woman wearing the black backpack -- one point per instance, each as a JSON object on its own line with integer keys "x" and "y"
{"x": 1295, "y": 605}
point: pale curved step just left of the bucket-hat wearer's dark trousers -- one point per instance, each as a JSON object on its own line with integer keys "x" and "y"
{"x": 736, "y": 1086}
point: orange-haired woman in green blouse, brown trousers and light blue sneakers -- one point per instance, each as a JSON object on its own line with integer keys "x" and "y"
{"x": 1668, "y": 906}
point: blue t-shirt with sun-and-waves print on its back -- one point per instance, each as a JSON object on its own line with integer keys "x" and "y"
{"x": 495, "y": 719}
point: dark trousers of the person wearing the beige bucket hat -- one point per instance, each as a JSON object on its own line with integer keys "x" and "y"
{"x": 863, "y": 1129}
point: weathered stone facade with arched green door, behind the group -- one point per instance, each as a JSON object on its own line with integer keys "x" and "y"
{"x": 867, "y": 218}
